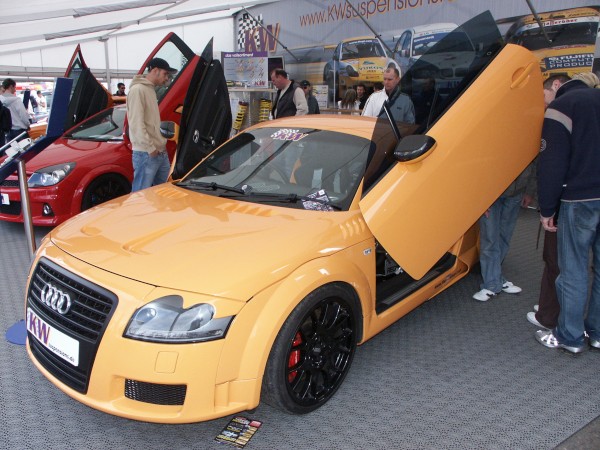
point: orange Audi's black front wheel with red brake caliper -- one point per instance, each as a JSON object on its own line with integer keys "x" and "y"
{"x": 313, "y": 351}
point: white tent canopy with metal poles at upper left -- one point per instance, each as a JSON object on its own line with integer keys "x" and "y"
{"x": 39, "y": 36}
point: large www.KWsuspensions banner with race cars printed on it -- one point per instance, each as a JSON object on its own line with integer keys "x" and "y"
{"x": 347, "y": 43}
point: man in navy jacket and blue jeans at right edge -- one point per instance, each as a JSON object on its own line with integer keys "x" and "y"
{"x": 568, "y": 176}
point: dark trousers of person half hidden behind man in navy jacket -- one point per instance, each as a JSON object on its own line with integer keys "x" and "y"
{"x": 549, "y": 307}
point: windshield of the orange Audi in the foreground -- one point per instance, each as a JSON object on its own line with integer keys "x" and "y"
{"x": 285, "y": 167}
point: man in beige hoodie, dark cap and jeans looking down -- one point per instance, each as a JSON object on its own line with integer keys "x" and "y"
{"x": 150, "y": 160}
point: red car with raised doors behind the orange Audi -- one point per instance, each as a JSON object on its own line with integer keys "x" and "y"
{"x": 91, "y": 162}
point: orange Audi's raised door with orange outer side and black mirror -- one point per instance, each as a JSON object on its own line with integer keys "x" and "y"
{"x": 478, "y": 136}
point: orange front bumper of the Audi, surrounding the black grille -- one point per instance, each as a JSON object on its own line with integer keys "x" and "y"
{"x": 154, "y": 382}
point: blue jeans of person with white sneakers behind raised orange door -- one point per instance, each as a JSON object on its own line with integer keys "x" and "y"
{"x": 495, "y": 232}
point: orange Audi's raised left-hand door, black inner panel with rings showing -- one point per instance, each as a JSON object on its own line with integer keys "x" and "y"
{"x": 206, "y": 120}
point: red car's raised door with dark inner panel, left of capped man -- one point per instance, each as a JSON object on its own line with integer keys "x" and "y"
{"x": 88, "y": 96}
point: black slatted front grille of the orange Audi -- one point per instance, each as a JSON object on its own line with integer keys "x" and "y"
{"x": 86, "y": 320}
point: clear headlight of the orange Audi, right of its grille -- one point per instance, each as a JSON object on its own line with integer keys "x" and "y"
{"x": 165, "y": 320}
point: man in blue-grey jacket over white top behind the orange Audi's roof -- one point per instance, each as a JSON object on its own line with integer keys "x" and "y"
{"x": 401, "y": 106}
